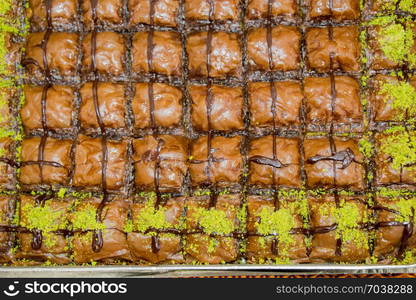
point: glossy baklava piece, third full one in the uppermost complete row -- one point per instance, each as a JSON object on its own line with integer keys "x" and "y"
{"x": 165, "y": 57}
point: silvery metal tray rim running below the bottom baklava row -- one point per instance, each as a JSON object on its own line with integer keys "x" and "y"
{"x": 204, "y": 270}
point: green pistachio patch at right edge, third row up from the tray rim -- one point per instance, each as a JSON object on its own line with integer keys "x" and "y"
{"x": 402, "y": 96}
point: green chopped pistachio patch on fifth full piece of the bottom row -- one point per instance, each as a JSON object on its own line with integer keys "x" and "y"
{"x": 279, "y": 222}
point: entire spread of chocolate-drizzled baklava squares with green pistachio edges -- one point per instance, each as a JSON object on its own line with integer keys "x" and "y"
{"x": 154, "y": 132}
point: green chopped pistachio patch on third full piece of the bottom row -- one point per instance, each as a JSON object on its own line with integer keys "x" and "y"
{"x": 150, "y": 217}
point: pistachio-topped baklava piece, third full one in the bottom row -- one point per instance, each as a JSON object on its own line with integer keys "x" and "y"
{"x": 155, "y": 236}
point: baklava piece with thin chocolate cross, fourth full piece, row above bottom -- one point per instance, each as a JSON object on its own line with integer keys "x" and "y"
{"x": 221, "y": 164}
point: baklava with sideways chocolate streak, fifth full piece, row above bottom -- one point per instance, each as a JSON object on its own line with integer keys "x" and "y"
{"x": 281, "y": 168}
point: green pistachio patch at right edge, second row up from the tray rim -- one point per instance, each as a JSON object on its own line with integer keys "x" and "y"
{"x": 400, "y": 145}
